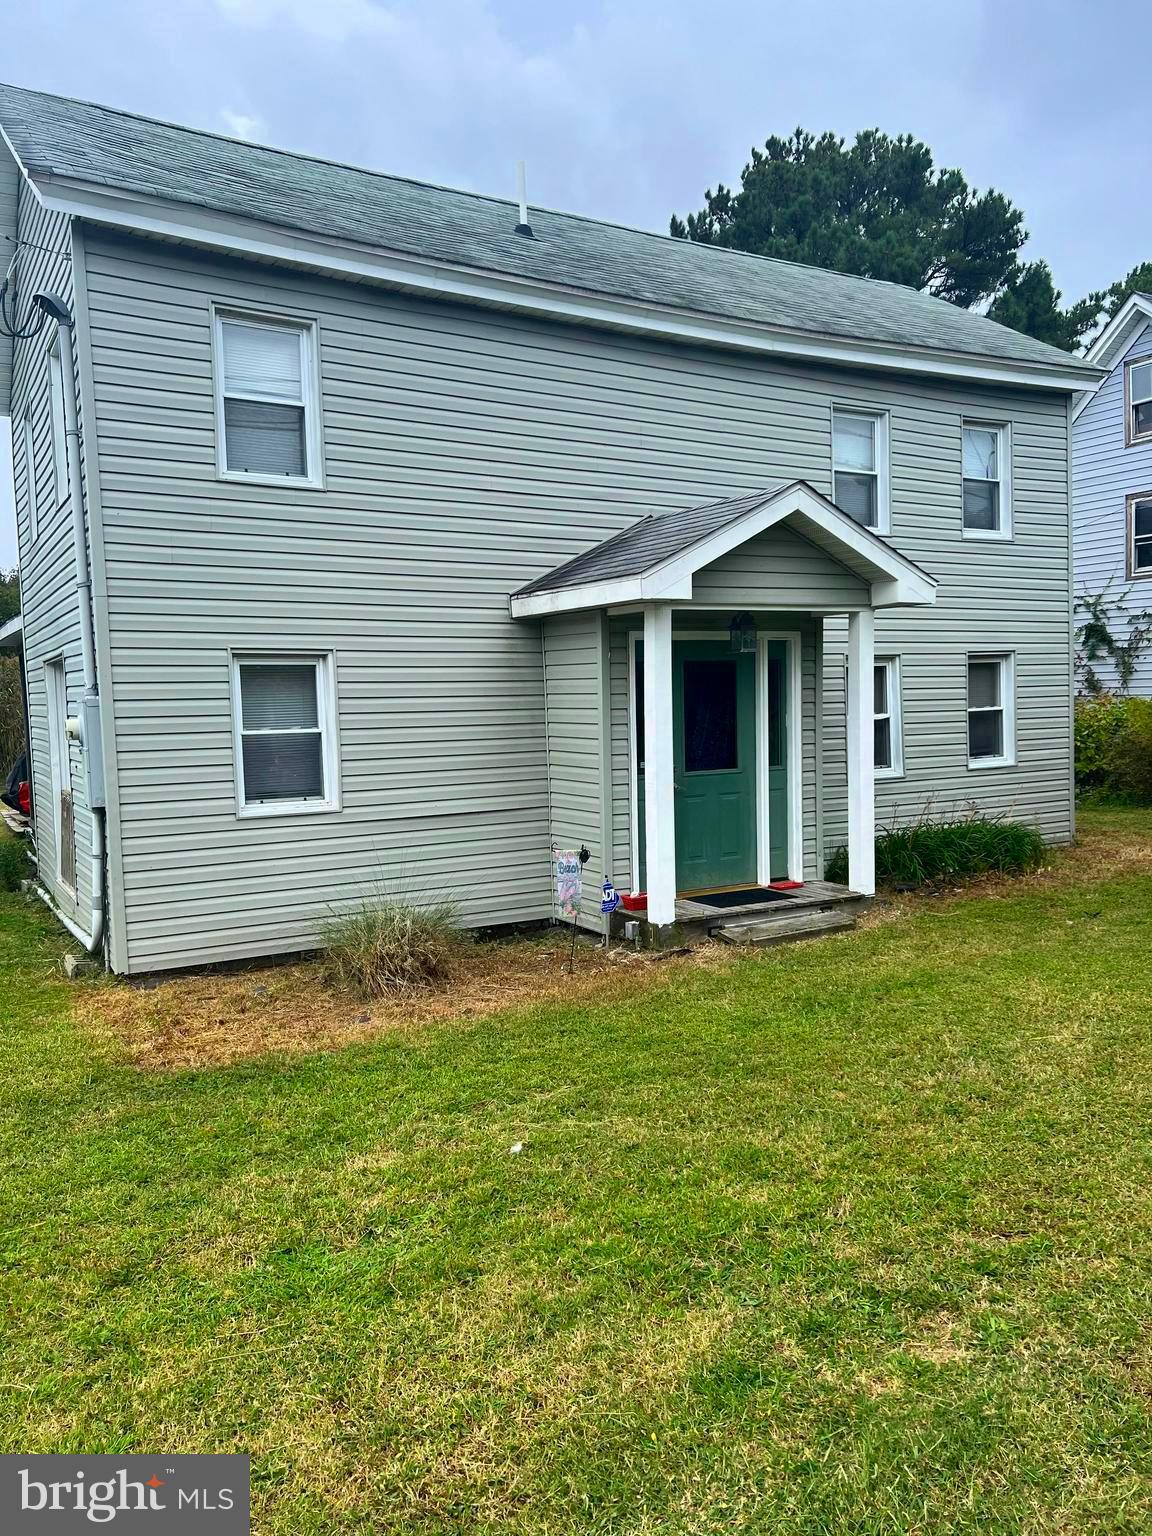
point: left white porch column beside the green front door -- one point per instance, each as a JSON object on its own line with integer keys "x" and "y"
{"x": 660, "y": 790}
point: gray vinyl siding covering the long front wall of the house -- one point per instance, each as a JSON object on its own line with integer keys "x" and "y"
{"x": 466, "y": 452}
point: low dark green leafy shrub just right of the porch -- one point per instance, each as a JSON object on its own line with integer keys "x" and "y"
{"x": 950, "y": 850}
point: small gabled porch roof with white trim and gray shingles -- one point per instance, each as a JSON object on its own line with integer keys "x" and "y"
{"x": 657, "y": 558}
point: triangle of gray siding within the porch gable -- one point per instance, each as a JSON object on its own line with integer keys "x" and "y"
{"x": 780, "y": 569}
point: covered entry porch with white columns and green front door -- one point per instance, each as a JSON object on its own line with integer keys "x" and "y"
{"x": 710, "y": 626}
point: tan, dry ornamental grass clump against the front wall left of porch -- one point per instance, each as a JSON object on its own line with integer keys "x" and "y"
{"x": 389, "y": 945}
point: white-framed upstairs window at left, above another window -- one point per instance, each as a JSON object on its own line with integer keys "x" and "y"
{"x": 268, "y": 406}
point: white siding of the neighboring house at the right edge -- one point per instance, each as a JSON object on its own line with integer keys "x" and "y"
{"x": 1105, "y": 474}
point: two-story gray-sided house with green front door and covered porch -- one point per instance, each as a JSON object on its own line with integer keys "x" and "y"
{"x": 383, "y": 535}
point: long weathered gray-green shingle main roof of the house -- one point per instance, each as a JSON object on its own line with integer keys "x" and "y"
{"x": 119, "y": 150}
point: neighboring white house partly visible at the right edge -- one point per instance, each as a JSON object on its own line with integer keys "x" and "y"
{"x": 1113, "y": 478}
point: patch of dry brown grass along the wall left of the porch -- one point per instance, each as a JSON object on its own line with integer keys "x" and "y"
{"x": 216, "y": 1019}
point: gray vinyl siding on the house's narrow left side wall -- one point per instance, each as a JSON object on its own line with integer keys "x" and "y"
{"x": 47, "y": 568}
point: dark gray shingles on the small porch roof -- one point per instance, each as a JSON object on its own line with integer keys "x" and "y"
{"x": 652, "y": 541}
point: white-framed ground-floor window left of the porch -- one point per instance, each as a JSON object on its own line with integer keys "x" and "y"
{"x": 285, "y": 727}
